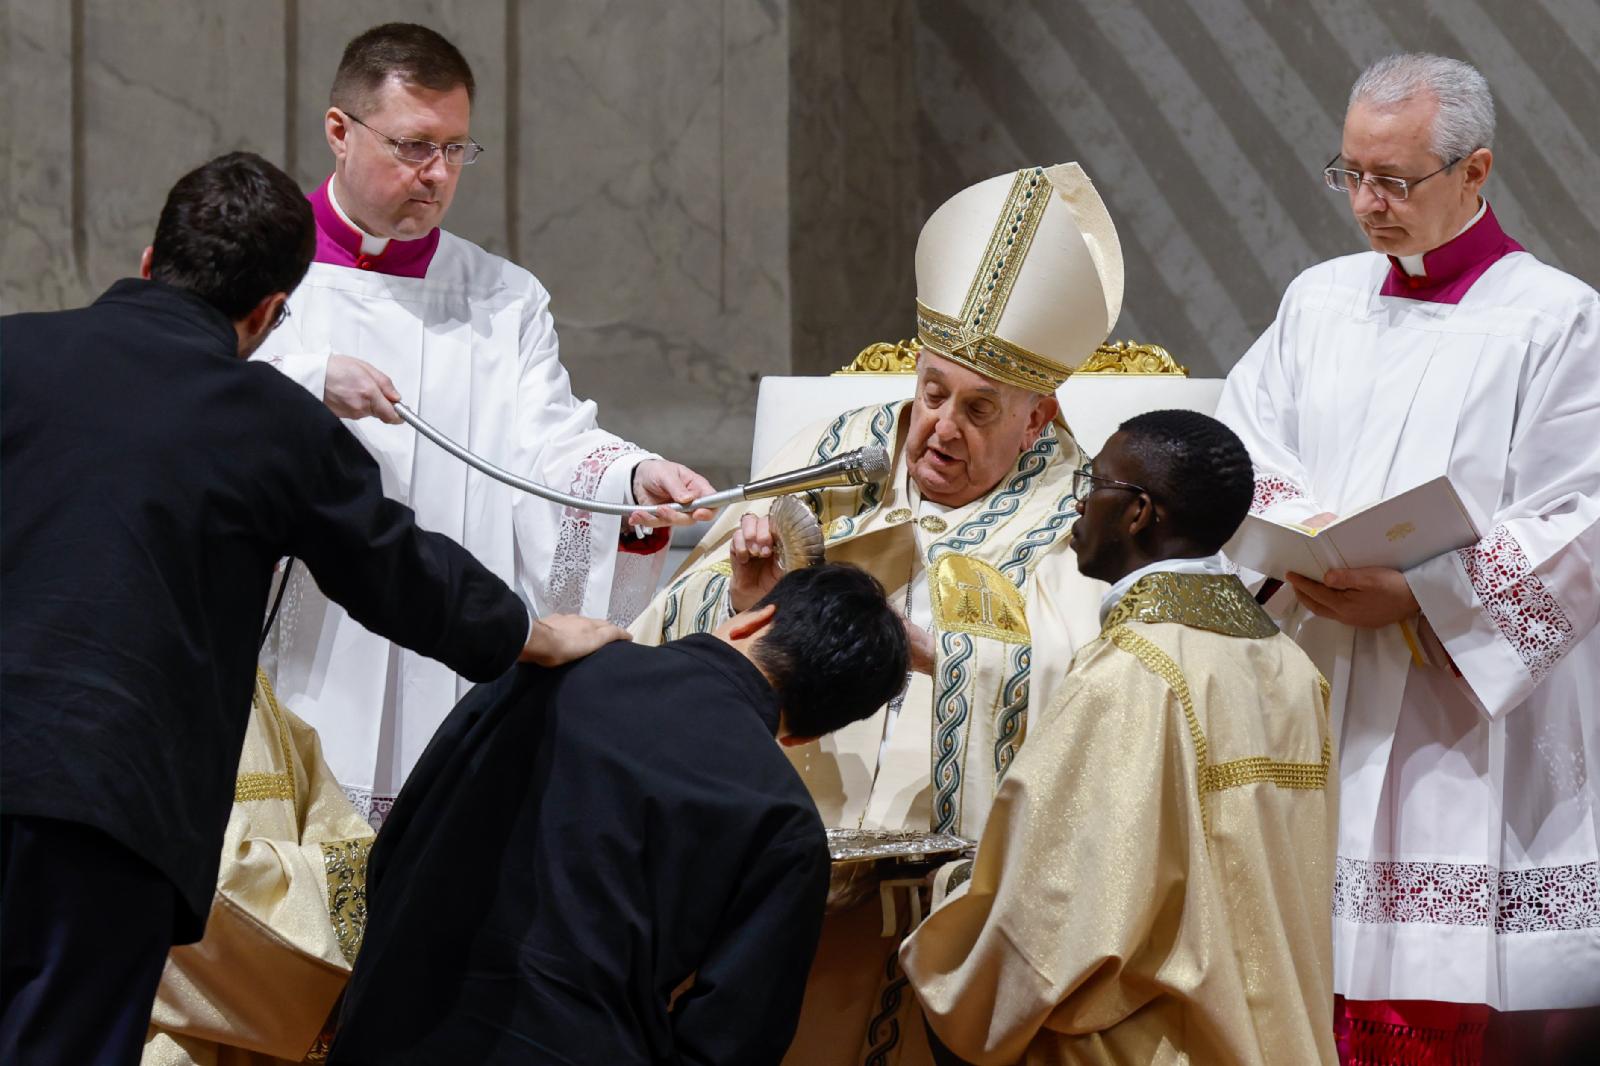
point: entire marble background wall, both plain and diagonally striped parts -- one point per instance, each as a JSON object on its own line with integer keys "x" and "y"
{"x": 722, "y": 190}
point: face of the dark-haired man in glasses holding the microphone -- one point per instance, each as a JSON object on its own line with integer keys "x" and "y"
{"x": 383, "y": 194}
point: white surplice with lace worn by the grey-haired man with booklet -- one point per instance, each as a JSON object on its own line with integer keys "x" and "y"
{"x": 1468, "y": 864}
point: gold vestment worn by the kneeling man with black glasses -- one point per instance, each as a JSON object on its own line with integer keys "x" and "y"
{"x": 1156, "y": 880}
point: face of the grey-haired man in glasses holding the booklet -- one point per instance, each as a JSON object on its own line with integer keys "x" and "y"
{"x": 1398, "y": 143}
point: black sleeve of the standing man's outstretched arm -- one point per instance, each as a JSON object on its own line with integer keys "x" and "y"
{"x": 417, "y": 588}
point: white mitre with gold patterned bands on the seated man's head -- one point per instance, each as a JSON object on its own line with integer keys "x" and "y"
{"x": 1020, "y": 276}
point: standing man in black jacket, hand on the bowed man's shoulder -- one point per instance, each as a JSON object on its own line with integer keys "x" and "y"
{"x": 151, "y": 483}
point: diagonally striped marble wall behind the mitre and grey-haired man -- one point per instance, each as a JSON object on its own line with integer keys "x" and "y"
{"x": 1207, "y": 122}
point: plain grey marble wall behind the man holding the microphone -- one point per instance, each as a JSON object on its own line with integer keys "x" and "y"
{"x": 638, "y": 162}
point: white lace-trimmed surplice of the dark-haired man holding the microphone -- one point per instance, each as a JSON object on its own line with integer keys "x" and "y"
{"x": 473, "y": 350}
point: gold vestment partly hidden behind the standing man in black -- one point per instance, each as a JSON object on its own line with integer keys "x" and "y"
{"x": 289, "y": 913}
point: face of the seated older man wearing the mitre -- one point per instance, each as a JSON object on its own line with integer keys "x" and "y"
{"x": 967, "y": 430}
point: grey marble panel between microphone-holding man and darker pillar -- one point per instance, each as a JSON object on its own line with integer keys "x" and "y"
{"x": 652, "y": 202}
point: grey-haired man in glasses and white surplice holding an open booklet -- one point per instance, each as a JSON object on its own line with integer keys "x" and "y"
{"x": 1468, "y": 862}
